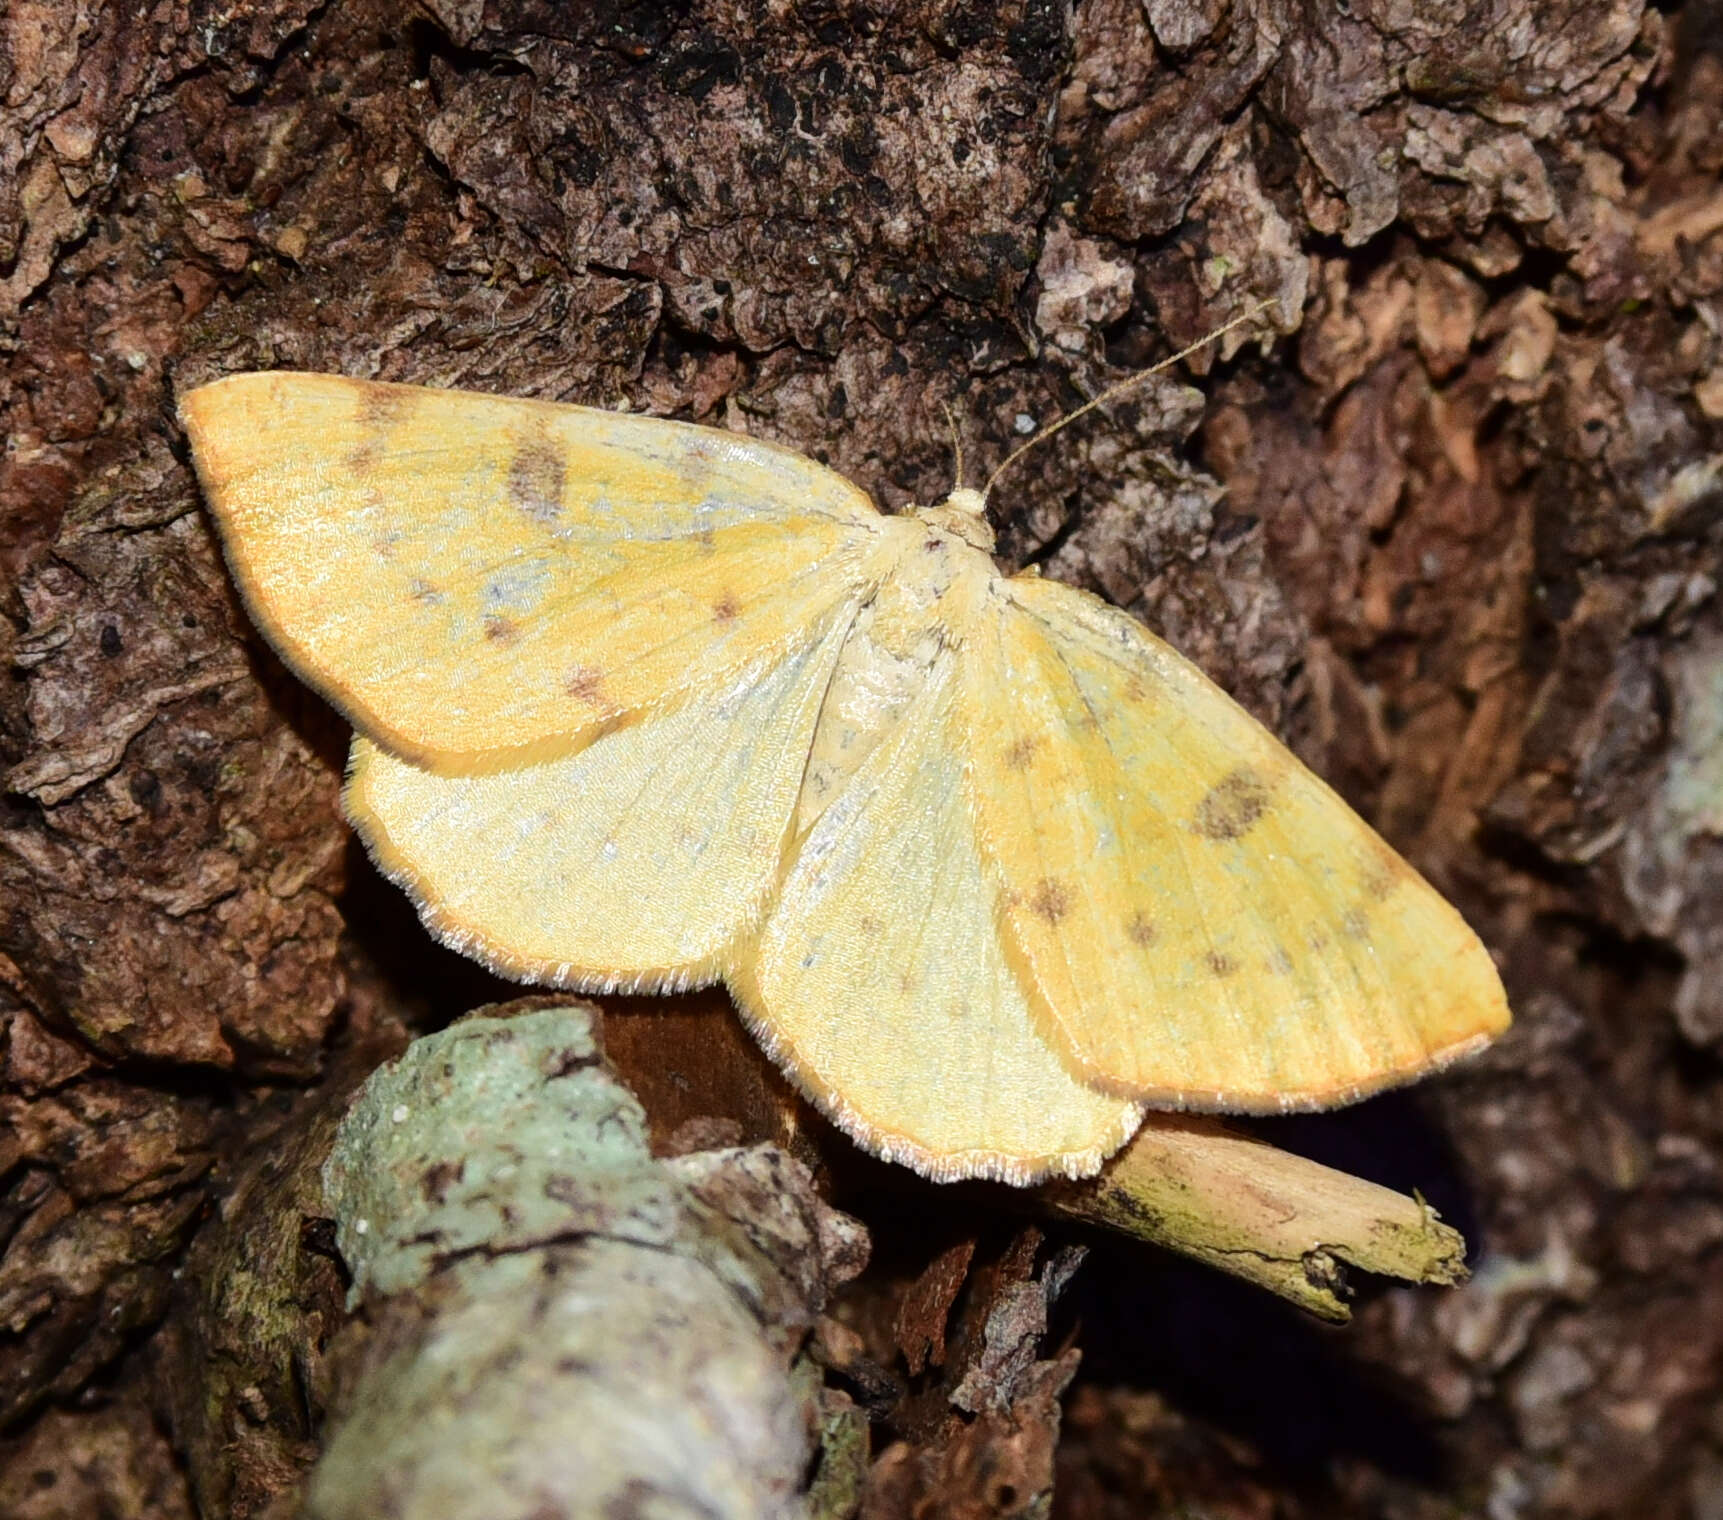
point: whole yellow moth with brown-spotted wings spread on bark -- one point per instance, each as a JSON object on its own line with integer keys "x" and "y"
{"x": 986, "y": 866}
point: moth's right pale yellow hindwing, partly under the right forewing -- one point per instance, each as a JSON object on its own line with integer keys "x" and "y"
{"x": 878, "y": 980}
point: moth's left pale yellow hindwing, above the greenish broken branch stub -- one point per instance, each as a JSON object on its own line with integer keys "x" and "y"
{"x": 633, "y": 864}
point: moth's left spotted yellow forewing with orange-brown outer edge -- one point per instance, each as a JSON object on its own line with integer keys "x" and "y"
{"x": 478, "y": 582}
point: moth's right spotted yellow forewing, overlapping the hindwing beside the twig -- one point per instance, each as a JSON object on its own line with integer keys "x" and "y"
{"x": 1198, "y": 919}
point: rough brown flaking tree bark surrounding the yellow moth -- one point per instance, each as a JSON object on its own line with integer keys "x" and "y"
{"x": 1457, "y": 537}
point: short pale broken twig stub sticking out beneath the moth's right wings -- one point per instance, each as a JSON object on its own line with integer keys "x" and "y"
{"x": 1262, "y": 1214}
